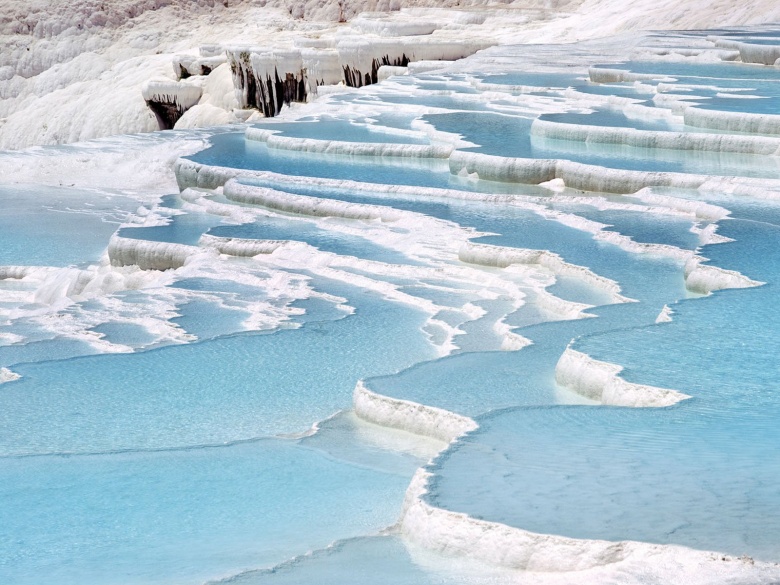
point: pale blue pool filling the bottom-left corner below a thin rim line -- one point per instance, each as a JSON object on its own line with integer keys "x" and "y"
{"x": 185, "y": 515}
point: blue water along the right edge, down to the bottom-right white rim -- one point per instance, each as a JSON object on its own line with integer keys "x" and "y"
{"x": 701, "y": 474}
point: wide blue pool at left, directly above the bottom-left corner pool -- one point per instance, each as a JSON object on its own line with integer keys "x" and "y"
{"x": 194, "y": 394}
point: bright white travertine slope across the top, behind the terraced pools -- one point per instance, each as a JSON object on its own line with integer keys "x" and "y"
{"x": 75, "y": 71}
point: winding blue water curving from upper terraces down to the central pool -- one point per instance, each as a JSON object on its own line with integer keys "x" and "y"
{"x": 505, "y": 377}
